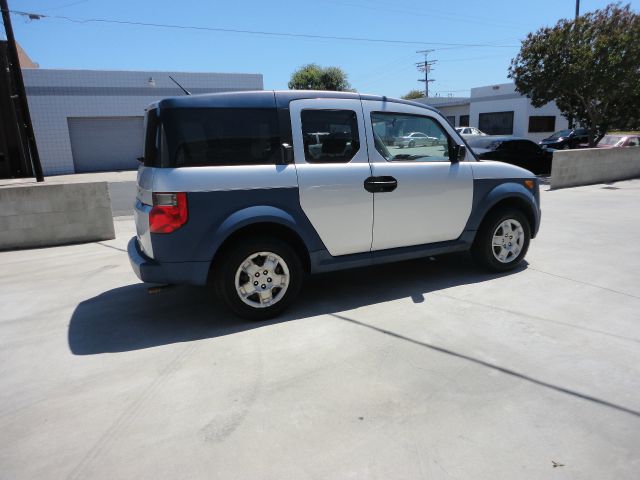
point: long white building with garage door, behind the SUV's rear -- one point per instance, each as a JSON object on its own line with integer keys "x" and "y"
{"x": 92, "y": 120}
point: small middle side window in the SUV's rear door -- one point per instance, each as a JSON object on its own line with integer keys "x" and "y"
{"x": 330, "y": 136}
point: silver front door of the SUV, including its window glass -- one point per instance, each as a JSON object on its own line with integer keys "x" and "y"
{"x": 433, "y": 198}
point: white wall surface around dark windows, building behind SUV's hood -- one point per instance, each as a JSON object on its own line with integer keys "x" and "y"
{"x": 504, "y": 98}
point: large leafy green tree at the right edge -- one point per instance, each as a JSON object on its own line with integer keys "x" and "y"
{"x": 589, "y": 66}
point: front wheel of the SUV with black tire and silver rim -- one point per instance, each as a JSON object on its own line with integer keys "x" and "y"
{"x": 505, "y": 252}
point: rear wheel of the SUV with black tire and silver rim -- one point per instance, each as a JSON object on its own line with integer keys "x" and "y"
{"x": 243, "y": 267}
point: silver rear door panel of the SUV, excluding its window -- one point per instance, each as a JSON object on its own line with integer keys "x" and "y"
{"x": 332, "y": 195}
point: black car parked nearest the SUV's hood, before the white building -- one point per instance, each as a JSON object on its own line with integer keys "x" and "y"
{"x": 516, "y": 151}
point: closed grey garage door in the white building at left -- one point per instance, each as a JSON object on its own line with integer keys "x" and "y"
{"x": 105, "y": 143}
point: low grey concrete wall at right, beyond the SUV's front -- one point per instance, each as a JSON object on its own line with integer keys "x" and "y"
{"x": 571, "y": 168}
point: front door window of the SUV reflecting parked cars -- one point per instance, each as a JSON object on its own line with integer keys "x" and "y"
{"x": 392, "y": 131}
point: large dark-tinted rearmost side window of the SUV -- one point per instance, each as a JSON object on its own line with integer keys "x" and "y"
{"x": 221, "y": 136}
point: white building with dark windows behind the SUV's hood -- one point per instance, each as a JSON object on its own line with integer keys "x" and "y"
{"x": 500, "y": 110}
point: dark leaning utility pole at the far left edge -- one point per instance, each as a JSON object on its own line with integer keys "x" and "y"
{"x": 19, "y": 98}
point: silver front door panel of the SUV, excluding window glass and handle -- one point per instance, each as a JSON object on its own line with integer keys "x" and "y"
{"x": 433, "y": 200}
